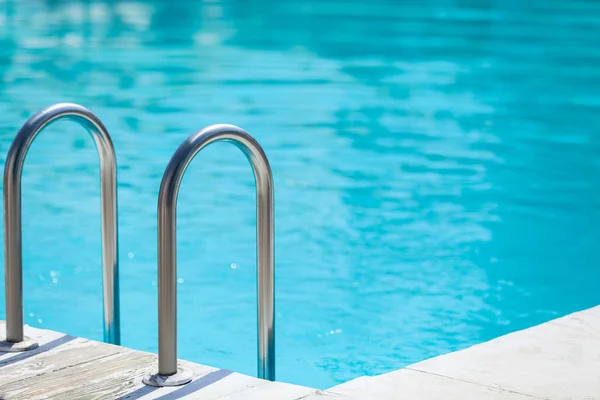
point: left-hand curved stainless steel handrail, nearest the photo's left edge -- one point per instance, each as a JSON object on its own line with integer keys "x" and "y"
{"x": 15, "y": 340}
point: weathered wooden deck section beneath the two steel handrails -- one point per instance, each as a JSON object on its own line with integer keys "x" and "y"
{"x": 66, "y": 367}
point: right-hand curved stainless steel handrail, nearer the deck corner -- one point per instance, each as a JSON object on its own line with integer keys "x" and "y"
{"x": 168, "y": 373}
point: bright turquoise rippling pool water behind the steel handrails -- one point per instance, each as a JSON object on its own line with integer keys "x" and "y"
{"x": 437, "y": 170}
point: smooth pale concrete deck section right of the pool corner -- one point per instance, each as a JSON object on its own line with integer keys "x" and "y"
{"x": 559, "y": 359}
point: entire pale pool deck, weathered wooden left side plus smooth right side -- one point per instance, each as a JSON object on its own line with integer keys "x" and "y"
{"x": 559, "y": 359}
